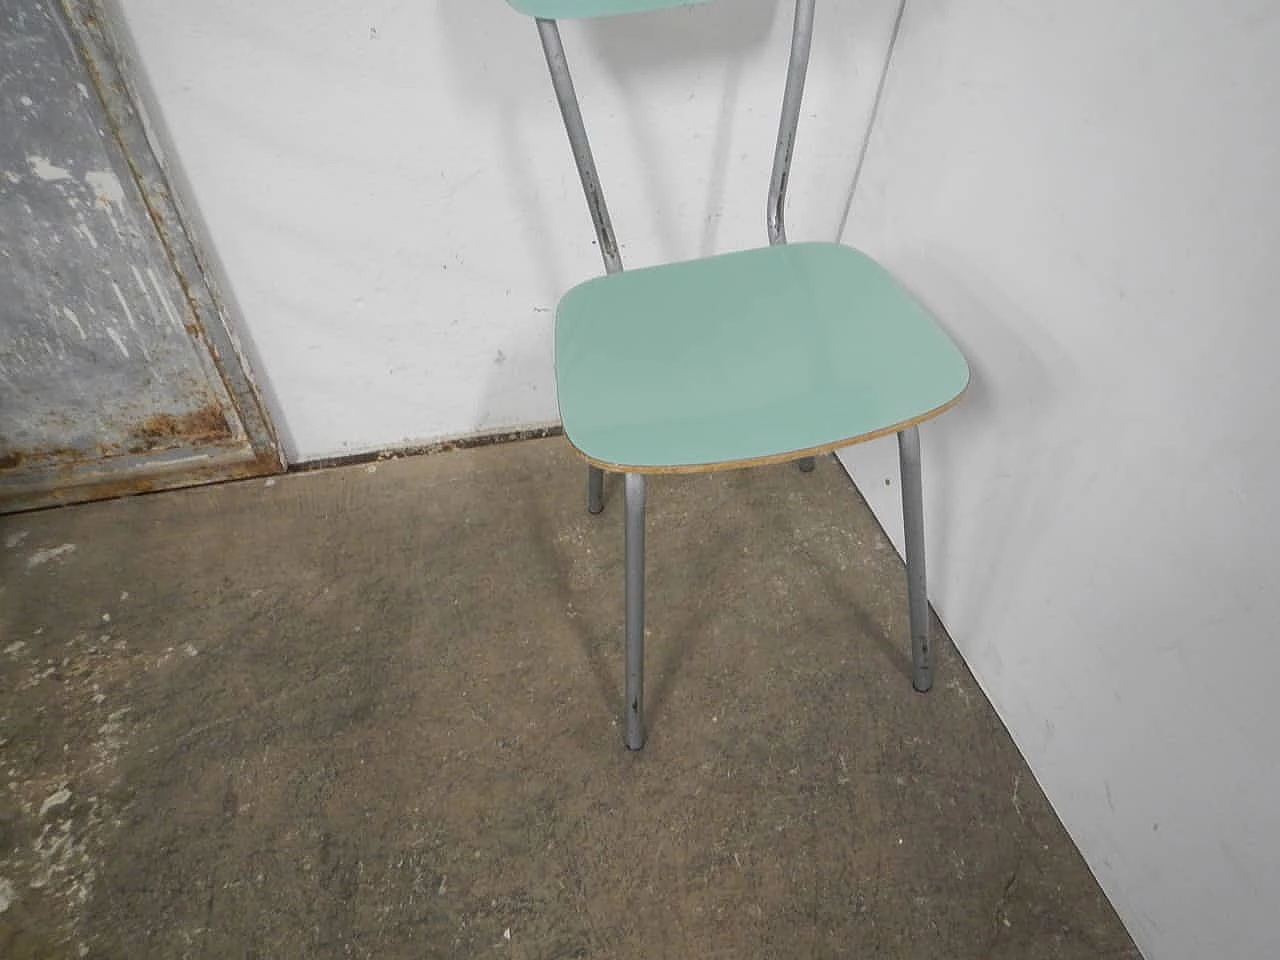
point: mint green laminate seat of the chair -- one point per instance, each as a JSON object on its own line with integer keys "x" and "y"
{"x": 747, "y": 356}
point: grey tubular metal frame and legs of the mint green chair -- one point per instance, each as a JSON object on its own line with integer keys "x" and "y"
{"x": 636, "y": 492}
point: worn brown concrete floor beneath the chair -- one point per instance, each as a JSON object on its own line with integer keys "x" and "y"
{"x": 374, "y": 712}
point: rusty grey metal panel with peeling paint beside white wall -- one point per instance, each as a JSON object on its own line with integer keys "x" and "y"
{"x": 113, "y": 358}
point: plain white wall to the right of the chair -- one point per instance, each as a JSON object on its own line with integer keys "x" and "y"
{"x": 1087, "y": 195}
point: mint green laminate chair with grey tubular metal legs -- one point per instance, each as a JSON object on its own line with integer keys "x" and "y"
{"x": 761, "y": 356}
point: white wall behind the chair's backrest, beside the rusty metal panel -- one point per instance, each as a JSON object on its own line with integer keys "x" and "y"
{"x": 392, "y": 199}
